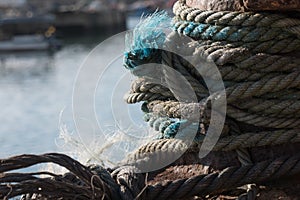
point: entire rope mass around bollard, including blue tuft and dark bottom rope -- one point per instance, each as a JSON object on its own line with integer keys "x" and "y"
{"x": 257, "y": 55}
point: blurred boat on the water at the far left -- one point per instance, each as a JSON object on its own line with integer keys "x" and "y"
{"x": 29, "y": 43}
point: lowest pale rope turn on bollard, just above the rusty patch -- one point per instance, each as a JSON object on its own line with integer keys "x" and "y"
{"x": 166, "y": 147}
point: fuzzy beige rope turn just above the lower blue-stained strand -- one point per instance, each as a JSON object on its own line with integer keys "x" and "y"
{"x": 265, "y": 113}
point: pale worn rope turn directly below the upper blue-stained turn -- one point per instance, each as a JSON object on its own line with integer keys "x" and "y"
{"x": 246, "y": 66}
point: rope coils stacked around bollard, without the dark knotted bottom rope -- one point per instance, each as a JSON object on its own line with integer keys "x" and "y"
{"x": 257, "y": 56}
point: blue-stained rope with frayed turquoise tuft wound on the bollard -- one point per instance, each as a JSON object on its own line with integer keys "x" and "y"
{"x": 145, "y": 45}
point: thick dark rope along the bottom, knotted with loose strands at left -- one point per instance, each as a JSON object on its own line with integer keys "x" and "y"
{"x": 125, "y": 183}
